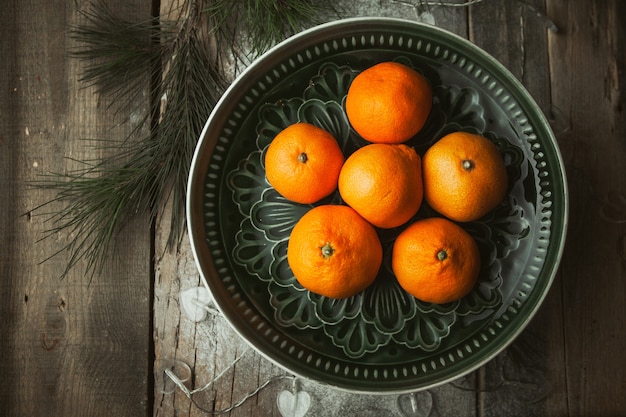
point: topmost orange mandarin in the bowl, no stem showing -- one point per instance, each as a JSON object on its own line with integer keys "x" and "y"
{"x": 388, "y": 103}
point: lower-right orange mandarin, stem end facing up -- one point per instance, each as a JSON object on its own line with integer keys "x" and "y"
{"x": 435, "y": 260}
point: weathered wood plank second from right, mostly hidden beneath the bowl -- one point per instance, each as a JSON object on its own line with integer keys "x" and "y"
{"x": 521, "y": 377}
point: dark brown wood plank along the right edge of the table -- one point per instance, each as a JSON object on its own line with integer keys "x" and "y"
{"x": 587, "y": 73}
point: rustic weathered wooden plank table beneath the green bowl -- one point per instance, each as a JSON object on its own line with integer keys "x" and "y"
{"x": 77, "y": 348}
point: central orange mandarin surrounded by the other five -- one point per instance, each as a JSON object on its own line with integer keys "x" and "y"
{"x": 383, "y": 183}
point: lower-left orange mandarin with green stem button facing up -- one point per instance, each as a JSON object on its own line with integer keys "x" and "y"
{"x": 332, "y": 251}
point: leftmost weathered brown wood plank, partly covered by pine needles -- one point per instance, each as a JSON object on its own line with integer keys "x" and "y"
{"x": 68, "y": 348}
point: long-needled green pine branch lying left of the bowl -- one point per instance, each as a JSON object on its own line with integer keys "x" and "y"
{"x": 180, "y": 62}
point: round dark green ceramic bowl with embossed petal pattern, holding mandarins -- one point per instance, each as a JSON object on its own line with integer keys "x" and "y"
{"x": 381, "y": 340}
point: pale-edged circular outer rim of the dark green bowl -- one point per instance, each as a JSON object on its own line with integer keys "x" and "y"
{"x": 205, "y": 263}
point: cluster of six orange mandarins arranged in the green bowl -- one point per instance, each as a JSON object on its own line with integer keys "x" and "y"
{"x": 334, "y": 250}
